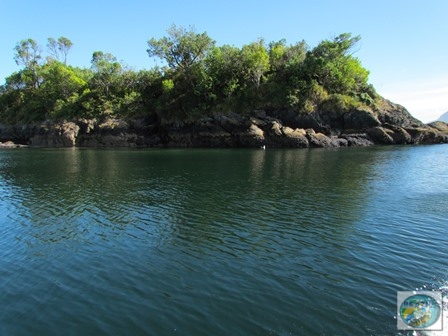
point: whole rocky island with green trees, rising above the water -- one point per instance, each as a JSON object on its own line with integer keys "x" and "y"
{"x": 274, "y": 95}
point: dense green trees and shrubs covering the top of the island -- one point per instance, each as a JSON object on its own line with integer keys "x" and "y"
{"x": 198, "y": 78}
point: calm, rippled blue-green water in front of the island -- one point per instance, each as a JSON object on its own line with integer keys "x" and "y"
{"x": 218, "y": 242}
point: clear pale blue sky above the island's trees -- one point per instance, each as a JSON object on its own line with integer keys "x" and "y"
{"x": 404, "y": 42}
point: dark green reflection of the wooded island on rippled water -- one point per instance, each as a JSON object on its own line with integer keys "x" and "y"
{"x": 88, "y": 188}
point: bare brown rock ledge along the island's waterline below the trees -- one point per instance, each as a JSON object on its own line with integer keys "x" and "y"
{"x": 392, "y": 125}
